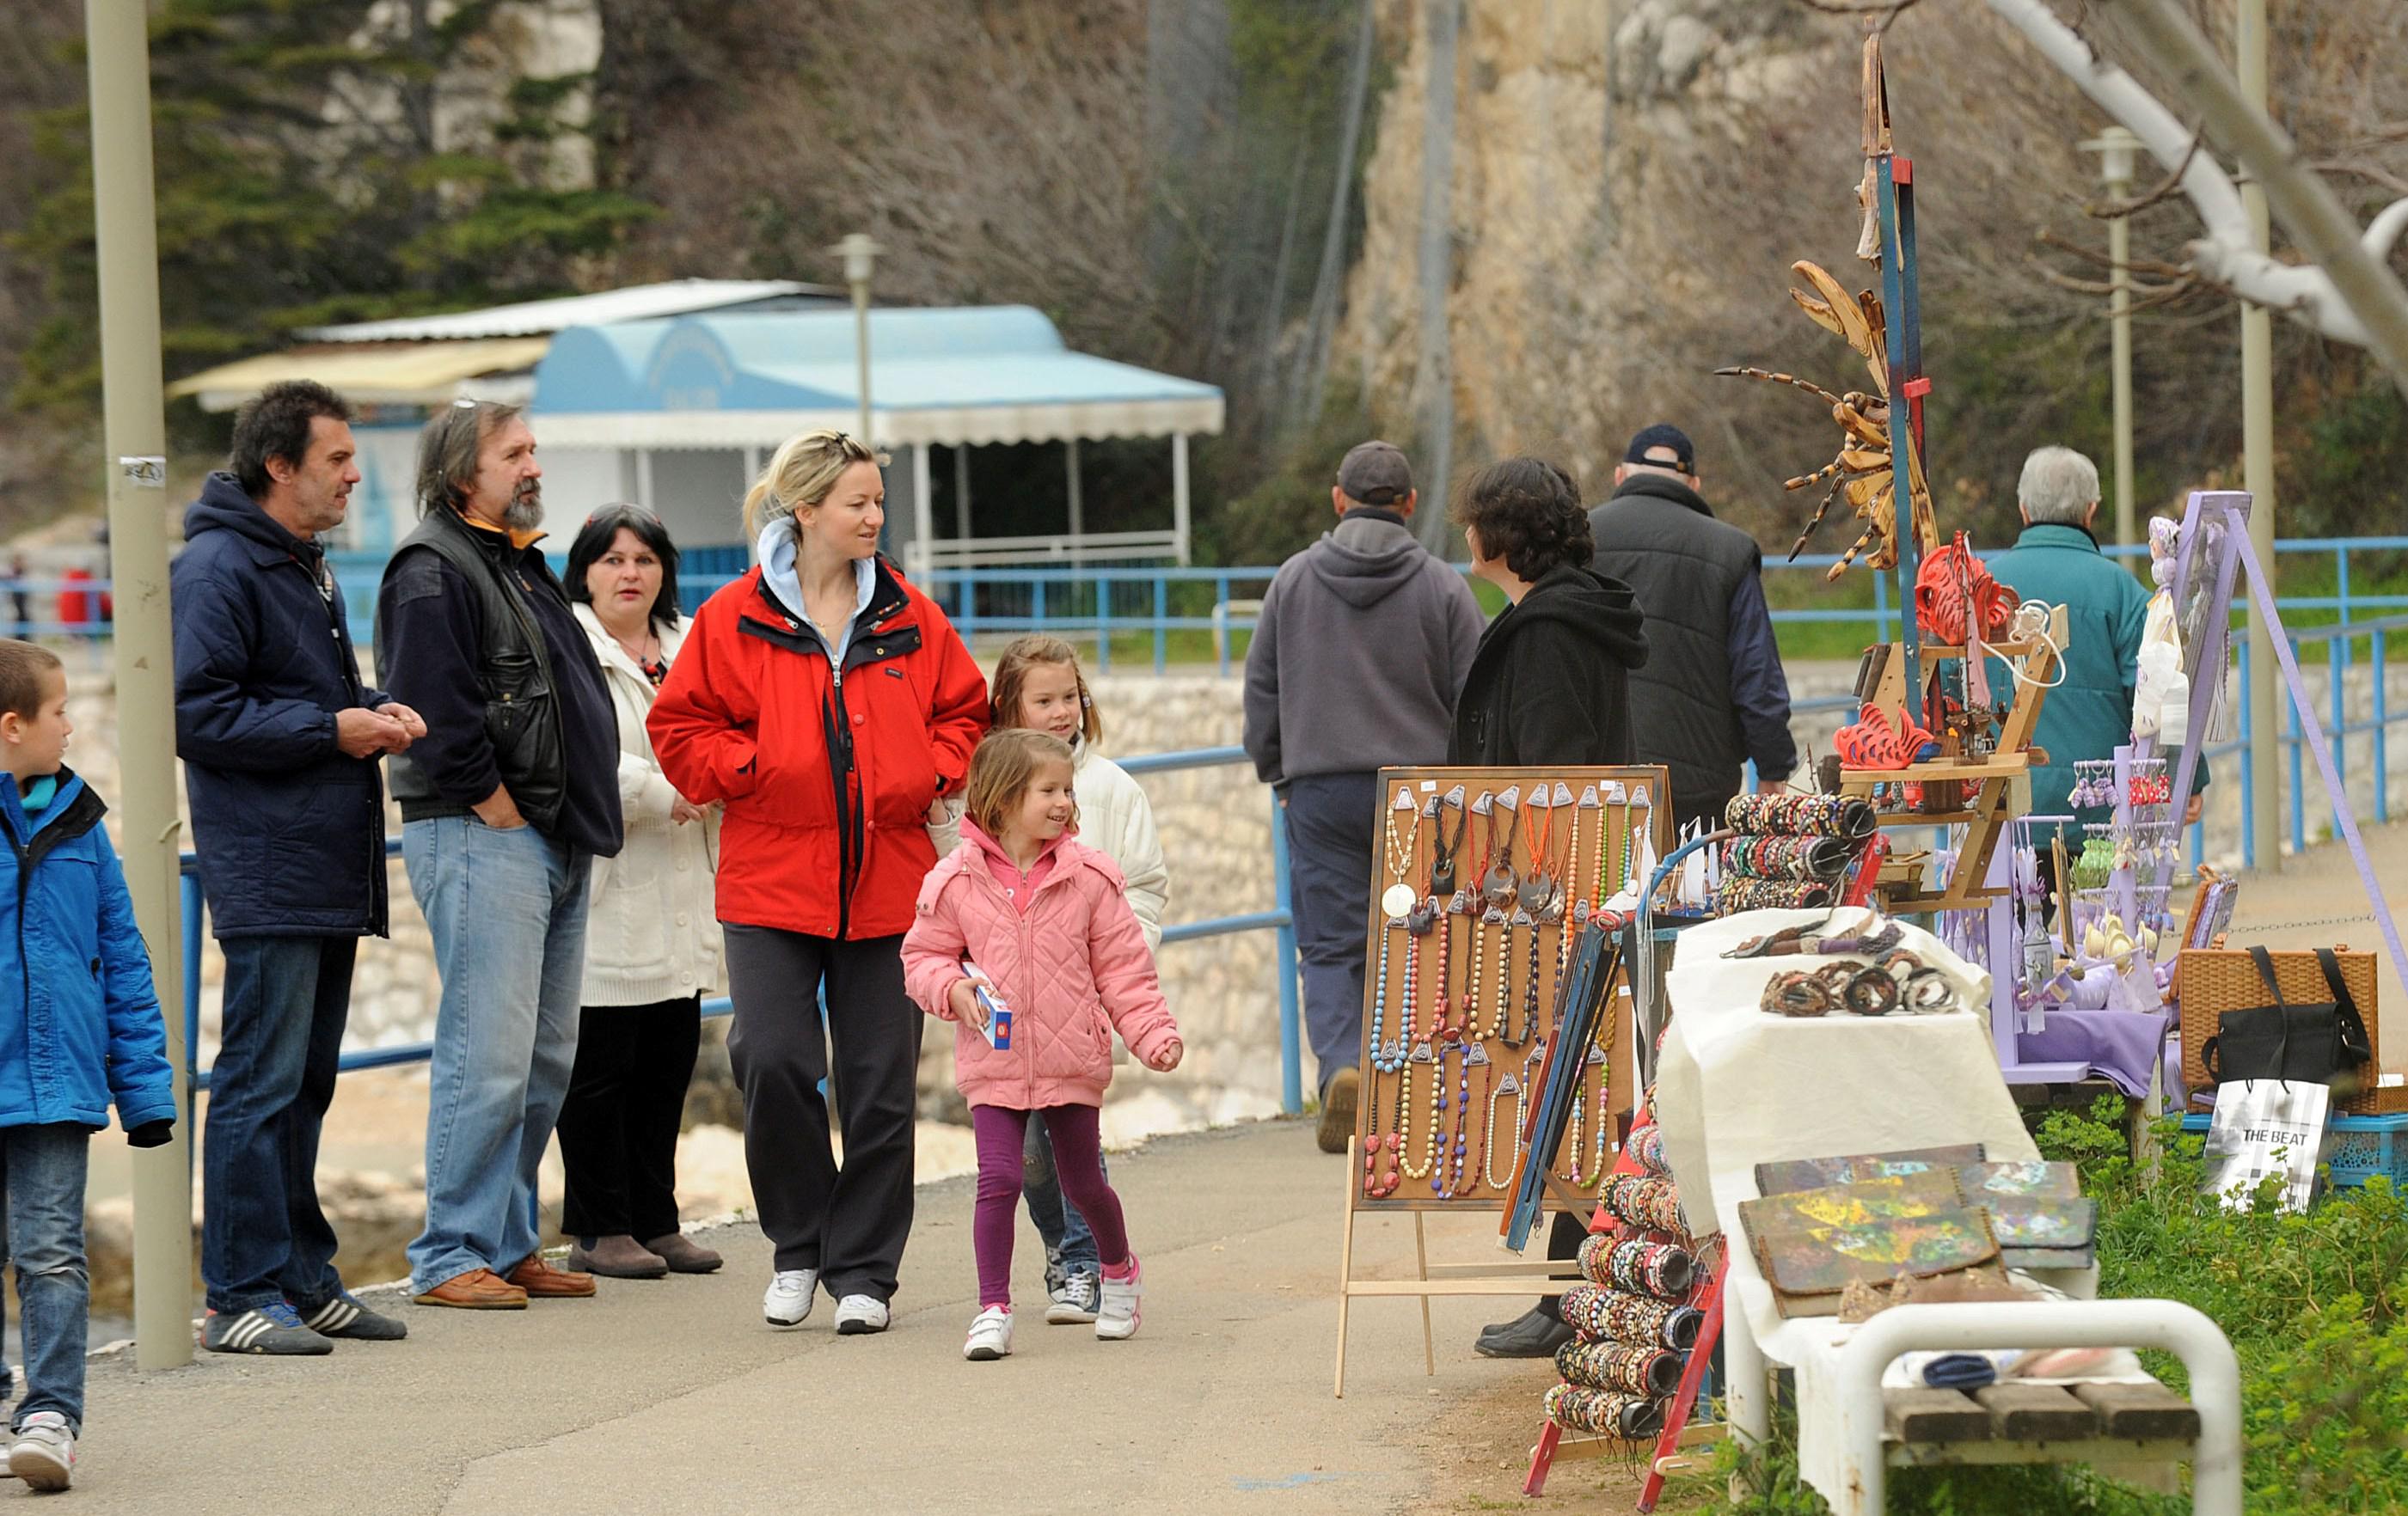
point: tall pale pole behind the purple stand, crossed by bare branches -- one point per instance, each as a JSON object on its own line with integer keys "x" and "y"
{"x": 2257, "y": 478}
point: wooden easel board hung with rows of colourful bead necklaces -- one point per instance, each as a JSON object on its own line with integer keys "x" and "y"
{"x": 1482, "y": 887}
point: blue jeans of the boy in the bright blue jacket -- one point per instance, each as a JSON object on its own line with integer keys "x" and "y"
{"x": 42, "y": 1168}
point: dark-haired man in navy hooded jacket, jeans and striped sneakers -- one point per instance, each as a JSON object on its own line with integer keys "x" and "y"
{"x": 281, "y": 742}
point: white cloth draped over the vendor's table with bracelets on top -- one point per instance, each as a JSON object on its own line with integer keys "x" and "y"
{"x": 1737, "y": 1089}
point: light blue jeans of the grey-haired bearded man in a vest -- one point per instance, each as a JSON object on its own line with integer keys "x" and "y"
{"x": 507, "y": 913}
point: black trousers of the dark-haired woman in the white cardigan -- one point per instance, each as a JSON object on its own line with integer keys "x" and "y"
{"x": 620, "y": 1120}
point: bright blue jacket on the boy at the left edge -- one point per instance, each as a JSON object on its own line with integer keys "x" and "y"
{"x": 78, "y": 1014}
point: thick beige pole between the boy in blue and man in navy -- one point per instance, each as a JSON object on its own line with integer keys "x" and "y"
{"x": 126, "y": 237}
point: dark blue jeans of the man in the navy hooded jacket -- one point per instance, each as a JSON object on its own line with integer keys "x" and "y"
{"x": 264, "y": 1236}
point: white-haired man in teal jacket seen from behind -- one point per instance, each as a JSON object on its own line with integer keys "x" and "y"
{"x": 2060, "y": 562}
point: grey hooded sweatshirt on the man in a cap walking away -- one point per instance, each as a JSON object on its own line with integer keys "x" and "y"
{"x": 1359, "y": 653}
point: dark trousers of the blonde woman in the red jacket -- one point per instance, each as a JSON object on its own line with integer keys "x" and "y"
{"x": 851, "y": 1221}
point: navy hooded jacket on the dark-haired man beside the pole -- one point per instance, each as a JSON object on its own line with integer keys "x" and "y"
{"x": 290, "y": 829}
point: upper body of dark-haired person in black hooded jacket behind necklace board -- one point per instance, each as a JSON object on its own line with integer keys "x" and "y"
{"x": 1550, "y": 685}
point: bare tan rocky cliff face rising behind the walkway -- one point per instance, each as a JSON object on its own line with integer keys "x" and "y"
{"x": 1631, "y": 184}
